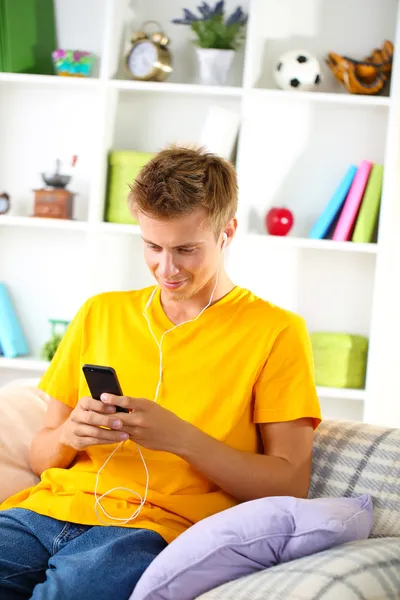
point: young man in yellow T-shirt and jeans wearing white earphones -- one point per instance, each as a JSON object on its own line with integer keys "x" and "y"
{"x": 220, "y": 389}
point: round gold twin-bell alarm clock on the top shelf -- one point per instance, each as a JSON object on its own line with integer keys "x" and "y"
{"x": 148, "y": 58}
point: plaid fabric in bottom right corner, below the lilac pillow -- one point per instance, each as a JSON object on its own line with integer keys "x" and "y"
{"x": 365, "y": 570}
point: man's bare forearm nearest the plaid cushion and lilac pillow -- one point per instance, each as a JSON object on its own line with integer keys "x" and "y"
{"x": 244, "y": 475}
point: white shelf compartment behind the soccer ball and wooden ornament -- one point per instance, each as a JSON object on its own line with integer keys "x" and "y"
{"x": 278, "y": 26}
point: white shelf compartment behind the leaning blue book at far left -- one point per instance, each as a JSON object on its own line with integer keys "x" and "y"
{"x": 49, "y": 280}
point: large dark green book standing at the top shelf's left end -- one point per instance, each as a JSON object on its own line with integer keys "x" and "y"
{"x": 27, "y": 36}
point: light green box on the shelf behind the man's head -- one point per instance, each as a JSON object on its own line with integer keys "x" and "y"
{"x": 123, "y": 168}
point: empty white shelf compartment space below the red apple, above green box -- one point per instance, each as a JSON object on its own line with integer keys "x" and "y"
{"x": 331, "y": 290}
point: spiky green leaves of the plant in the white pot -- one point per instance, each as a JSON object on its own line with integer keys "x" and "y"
{"x": 212, "y": 29}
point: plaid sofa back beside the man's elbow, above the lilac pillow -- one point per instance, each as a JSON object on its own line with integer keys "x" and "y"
{"x": 353, "y": 458}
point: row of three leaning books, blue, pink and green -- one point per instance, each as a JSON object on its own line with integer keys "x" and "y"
{"x": 352, "y": 213}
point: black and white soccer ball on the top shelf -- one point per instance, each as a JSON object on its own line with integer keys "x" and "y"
{"x": 298, "y": 70}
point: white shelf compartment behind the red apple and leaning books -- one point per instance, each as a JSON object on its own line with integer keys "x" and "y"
{"x": 310, "y": 147}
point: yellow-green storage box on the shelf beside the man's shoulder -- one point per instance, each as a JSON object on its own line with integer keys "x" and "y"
{"x": 340, "y": 359}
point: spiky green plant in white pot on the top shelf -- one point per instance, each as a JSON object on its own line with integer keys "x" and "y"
{"x": 217, "y": 38}
